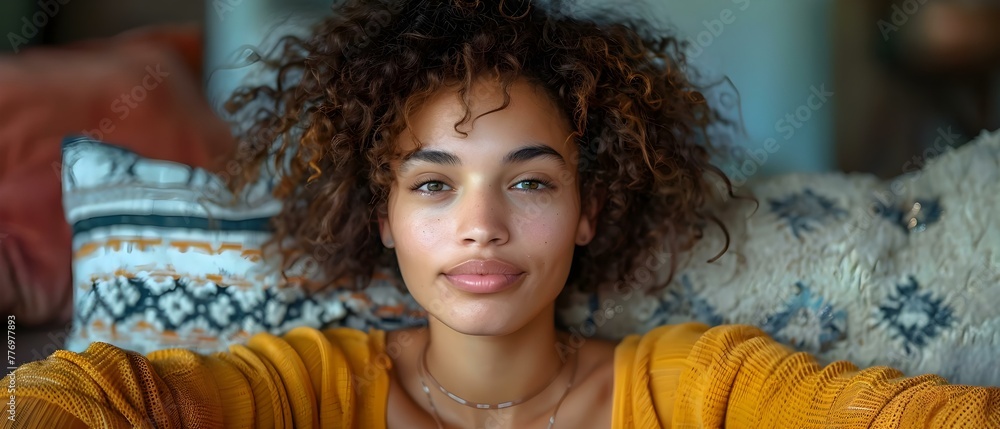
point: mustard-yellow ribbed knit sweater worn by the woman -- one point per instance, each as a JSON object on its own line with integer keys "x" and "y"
{"x": 680, "y": 376}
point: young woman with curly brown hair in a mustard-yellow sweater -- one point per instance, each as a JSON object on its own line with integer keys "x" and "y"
{"x": 496, "y": 153}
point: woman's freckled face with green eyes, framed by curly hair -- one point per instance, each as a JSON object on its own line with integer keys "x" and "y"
{"x": 484, "y": 225}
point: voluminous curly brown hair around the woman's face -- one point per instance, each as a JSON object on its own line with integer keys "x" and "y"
{"x": 329, "y": 122}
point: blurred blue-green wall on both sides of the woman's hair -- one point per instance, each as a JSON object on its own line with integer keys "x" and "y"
{"x": 774, "y": 51}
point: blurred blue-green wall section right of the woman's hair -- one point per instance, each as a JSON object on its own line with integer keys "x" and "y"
{"x": 774, "y": 52}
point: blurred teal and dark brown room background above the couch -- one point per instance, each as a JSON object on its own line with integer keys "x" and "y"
{"x": 877, "y": 86}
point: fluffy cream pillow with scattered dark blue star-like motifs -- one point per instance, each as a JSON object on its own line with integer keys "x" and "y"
{"x": 904, "y": 272}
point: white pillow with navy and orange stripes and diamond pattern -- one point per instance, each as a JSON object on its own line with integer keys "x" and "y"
{"x": 161, "y": 258}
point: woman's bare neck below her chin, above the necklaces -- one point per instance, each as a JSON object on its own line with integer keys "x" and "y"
{"x": 496, "y": 369}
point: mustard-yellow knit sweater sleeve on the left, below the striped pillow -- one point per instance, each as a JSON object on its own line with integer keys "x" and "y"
{"x": 306, "y": 378}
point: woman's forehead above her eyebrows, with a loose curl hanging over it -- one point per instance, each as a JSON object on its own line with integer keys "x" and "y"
{"x": 529, "y": 117}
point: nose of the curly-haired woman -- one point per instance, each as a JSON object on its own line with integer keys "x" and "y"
{"x": 483, "y": 217}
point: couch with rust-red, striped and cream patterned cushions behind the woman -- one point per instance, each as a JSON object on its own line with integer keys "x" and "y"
{"x": 845, "y": 266}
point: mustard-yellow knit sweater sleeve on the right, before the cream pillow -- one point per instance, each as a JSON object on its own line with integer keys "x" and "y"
{"x": 738, "y": 377}
